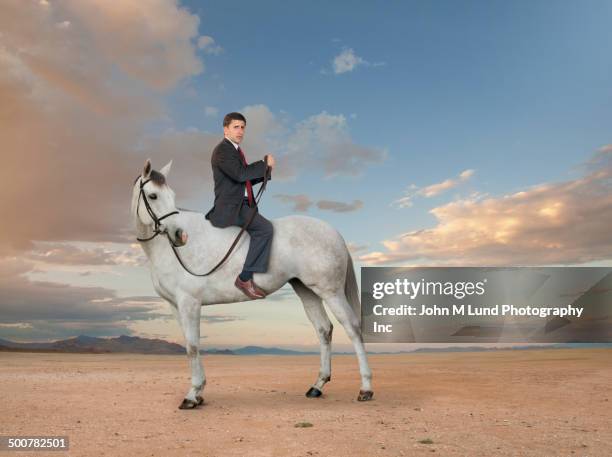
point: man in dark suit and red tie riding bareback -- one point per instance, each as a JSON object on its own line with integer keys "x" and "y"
{"x": 234, "y": 200}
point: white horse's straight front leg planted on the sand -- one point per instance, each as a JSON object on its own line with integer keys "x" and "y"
{"x": 188, "y": 313}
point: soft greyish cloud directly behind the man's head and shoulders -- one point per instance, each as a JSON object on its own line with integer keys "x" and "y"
{"x": 321, "y": 142}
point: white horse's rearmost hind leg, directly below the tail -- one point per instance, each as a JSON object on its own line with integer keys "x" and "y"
{"x": 341, "y": 308}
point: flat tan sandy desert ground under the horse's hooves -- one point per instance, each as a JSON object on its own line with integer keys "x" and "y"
{"x": 510, "y": 403}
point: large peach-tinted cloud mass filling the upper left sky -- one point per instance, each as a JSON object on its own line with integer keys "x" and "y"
{"x": 75, "y": 102}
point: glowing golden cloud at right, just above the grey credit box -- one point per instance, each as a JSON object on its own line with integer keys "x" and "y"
{"x": 559, "y": 223}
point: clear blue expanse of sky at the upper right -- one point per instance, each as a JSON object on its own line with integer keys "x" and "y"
{"x": 518, "y": 91}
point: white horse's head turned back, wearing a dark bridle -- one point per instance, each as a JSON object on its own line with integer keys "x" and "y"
{"x": 153, "y": 205}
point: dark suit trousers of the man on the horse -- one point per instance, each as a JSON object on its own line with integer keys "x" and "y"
{"x": 260, "y": 230}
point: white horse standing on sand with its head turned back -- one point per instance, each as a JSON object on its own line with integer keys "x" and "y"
{"x": 306, "y": 252}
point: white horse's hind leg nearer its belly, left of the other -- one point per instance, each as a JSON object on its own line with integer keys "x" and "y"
{"x": 317, "y": 315}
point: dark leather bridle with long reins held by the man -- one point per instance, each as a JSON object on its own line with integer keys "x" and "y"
{"x": 157, "y": 221}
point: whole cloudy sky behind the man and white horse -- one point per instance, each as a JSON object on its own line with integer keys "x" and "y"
{"x": 457, "y": 133}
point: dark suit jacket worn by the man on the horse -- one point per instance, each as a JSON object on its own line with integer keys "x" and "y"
{"x": 230, "y": 175}
